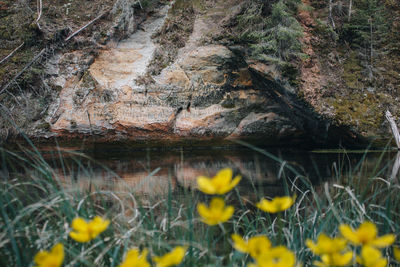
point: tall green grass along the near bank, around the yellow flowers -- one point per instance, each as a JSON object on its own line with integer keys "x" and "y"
{"x": 36, "y": 209}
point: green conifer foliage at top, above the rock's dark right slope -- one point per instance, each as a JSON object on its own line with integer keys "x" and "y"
{"x": 272, "y": 30}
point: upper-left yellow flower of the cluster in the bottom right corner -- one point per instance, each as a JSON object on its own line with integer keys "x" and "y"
{"x": 326, "y": 245}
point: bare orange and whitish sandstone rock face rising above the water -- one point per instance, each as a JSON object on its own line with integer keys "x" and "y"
{"x": 209, "y": 91}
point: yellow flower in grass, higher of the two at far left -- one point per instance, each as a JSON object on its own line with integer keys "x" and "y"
{"x": 85, "y": 231}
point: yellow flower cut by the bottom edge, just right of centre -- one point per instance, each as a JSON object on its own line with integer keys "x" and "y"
{"x": 278, "y": 256}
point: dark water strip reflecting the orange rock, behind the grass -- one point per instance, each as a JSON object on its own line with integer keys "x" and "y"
{"x": 155, "y": 172}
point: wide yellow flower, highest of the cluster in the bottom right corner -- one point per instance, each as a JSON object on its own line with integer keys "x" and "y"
{"x": 366, "y": 234}
